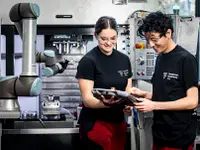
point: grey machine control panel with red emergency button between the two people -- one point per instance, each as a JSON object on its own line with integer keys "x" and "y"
{"x": 143, "y": 57}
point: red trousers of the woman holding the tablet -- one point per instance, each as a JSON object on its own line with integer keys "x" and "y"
{"x": 109, "y": 136}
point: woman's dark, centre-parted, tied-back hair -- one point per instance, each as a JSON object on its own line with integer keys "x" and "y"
{"x": 105, "y": 22}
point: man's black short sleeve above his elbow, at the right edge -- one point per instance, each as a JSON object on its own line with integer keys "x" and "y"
{"x": 190, "y": 71}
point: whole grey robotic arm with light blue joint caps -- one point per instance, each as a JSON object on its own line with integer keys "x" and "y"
{"x": 24, "y": 16}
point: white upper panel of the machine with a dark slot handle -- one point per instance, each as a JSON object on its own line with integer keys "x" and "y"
{"x": 83, "y": 11}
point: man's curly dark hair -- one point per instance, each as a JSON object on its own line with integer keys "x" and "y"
{"x": 156, "y": 22}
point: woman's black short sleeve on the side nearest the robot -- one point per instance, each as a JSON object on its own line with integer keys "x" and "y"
{"x": 86, "y": 69}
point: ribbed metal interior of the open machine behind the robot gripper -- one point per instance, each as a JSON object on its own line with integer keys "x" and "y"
{"x": 70, "y": 47}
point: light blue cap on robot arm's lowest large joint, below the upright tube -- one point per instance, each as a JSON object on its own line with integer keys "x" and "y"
{"x": 36, "y": 87}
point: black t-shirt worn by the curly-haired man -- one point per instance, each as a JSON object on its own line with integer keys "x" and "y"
{"x": 174, "y": 74}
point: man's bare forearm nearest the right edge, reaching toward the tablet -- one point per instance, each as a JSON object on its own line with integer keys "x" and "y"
{"x": 180, "y": 104}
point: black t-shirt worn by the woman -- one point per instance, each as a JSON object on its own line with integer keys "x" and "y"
{"x": 106, "y": 72}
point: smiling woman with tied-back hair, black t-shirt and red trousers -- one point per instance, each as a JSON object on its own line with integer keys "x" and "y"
{"x": 103, "y": 126}
